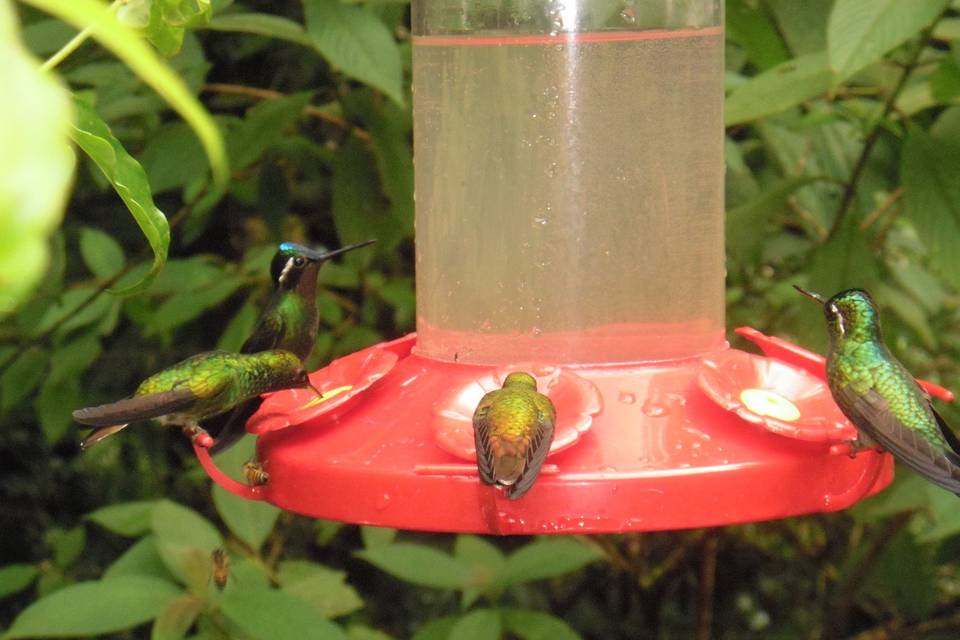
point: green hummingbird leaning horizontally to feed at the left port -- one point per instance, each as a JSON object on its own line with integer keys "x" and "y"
{"x": 199, "y": 387}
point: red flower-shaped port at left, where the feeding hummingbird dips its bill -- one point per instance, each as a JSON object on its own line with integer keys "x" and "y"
{"x": 341, "y": 382}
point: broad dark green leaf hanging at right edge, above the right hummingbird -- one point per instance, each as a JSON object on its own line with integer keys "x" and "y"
{"x": 931, "y": 194}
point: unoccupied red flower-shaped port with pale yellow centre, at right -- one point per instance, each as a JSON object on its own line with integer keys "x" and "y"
{"x": 775, "y": 395}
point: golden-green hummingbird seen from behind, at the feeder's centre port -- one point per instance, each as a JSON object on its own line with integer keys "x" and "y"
{"x": 513, "y": 429}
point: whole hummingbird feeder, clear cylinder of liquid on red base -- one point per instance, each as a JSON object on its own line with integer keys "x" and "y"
{"x": 569, "y": 204}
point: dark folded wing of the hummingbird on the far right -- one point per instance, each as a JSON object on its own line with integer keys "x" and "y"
{"x": 871, "y": 413}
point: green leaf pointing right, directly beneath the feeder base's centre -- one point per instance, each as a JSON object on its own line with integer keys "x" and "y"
{"x": 547, "y": 558}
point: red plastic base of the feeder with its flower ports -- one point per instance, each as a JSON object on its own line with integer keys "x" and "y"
{"x": 728, "y": 438}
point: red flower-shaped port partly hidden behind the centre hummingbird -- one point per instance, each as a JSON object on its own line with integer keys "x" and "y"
{"x": 576, "y": 400}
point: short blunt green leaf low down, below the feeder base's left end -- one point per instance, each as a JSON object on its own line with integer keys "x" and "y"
{"x": 321, "y": 586}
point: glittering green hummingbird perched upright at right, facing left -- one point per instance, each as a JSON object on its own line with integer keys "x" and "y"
{"x": 879, "y": 396}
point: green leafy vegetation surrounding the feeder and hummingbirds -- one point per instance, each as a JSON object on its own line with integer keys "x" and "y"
{"x": 224, "y": 127}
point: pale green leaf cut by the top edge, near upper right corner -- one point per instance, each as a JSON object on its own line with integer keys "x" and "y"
{"x": 860, "y": 32}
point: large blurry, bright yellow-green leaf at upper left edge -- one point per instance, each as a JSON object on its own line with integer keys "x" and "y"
{"x": 36, "y": 166}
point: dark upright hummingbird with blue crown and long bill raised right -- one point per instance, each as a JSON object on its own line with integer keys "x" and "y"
{"x": 289, "y": 321}
